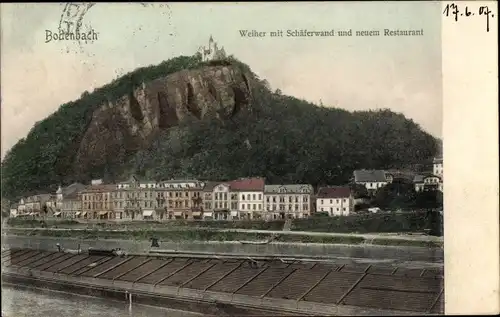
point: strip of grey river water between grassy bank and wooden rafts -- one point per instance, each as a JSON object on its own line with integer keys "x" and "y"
{"x": 374, "y": 253}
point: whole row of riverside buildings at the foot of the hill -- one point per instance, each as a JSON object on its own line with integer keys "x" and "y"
{"x": 245, "y": 198}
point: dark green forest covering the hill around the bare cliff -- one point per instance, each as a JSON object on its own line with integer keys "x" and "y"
{"x": 282, "y": 138}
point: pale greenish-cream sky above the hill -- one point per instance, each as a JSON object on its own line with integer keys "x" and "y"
{"x": 353, "y": 73}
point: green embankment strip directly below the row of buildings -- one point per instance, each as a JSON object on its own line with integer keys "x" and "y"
{"x": 410, "y": 222}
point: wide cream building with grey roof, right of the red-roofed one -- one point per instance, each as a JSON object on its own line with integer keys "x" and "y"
{"x": 287, "y": 201}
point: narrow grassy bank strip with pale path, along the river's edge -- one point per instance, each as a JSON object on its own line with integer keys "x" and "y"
{"x": 249, "y": 236}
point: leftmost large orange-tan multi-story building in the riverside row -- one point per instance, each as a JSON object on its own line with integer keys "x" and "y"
{"x": 96, "y": 201}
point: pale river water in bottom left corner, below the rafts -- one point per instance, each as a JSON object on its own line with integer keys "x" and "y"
{"x": 24, "y": 302}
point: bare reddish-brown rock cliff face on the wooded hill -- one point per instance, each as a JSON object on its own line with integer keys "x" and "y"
{"x": 132, "y": 121}
